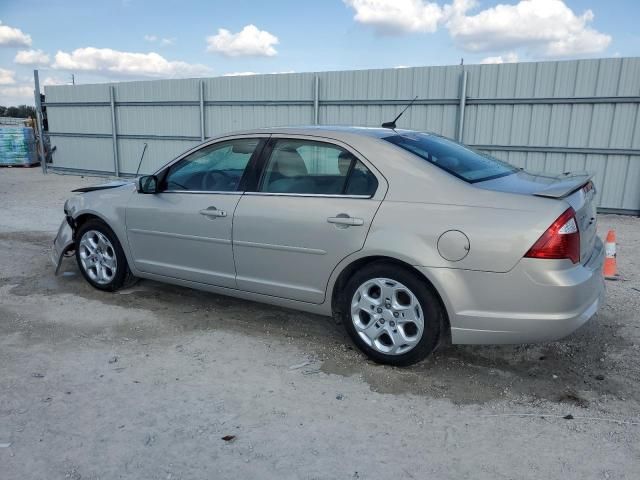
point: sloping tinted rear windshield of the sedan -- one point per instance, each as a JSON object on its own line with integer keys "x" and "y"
{"x": 453, "y": 157}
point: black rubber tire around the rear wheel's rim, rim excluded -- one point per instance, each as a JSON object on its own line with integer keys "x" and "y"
{"x": 433, "y": 313}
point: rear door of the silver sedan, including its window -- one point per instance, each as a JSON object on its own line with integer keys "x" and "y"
{"x": 312, "y": 207}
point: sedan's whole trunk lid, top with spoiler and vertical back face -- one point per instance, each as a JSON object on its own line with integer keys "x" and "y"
{"x": 574, "y": 188}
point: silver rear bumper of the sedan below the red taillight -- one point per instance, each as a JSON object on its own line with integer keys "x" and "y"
{"x": 537, "y": 301}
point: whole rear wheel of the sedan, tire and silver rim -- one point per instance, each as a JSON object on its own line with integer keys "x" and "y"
{"x": 391, "y": 314}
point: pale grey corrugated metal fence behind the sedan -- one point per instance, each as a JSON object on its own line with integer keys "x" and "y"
{"x": 546, "y": 116}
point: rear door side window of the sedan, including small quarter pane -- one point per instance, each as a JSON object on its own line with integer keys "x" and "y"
{"x": 315, "y": 168}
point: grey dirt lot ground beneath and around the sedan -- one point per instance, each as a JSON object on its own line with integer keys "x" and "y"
{"x": 146, "y": 382}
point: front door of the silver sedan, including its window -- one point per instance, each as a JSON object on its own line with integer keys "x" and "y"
{"x": 185, "y": 230}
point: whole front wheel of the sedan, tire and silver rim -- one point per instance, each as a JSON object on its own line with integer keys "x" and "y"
{"x": 100, "y": 257}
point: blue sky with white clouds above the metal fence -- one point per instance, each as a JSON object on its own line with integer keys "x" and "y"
{"x": 139, "y": 39}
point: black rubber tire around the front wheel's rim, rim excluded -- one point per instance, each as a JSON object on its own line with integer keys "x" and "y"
{"x": 123, "y": 277}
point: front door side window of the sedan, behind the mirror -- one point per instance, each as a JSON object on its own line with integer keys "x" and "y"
{"x": 214, "y": 168}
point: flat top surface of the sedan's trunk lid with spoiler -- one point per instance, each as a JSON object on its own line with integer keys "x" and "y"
{"x": 539, "y": 184}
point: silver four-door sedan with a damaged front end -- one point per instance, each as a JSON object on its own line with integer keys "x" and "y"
{"x": 409, "y": 238}
